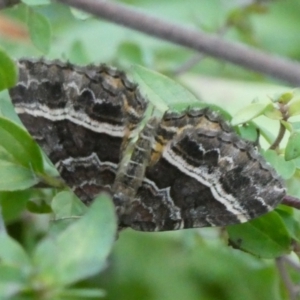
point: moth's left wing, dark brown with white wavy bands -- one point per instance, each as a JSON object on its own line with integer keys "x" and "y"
{"x": 81, "y": 117}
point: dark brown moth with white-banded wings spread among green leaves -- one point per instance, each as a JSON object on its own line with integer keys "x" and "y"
{"x": 188, "y": 169}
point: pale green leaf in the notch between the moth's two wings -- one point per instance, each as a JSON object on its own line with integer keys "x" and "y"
{"x": 161, "y": 90}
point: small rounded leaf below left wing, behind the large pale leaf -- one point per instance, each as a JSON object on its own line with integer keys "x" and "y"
{"x": 66, "y": 204}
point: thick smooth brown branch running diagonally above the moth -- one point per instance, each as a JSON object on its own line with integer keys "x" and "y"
{"x": 212, "y": 45}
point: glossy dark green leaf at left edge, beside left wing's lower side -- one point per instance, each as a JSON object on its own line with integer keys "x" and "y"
{"x": 20, "y": 145}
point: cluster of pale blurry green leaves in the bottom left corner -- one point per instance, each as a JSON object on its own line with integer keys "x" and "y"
{"x": 59, "y": 260}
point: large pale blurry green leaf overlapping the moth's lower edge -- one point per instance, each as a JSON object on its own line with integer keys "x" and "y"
{"x": 81, "y": 250}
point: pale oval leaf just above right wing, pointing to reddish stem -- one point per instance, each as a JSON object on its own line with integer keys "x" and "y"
{"x": 250, "y": 112}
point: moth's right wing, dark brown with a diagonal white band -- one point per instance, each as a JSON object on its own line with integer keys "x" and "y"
{"x": 205, "y": 175}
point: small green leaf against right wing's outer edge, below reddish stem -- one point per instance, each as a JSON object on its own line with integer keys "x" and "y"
{"x": 285, "y": 168}
